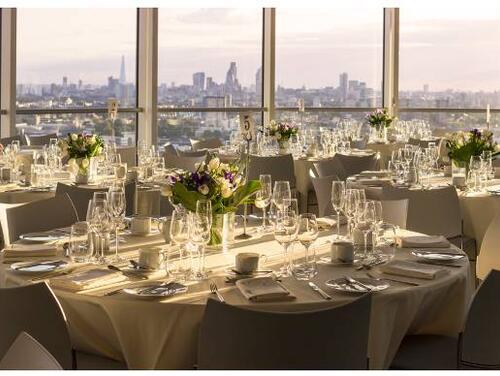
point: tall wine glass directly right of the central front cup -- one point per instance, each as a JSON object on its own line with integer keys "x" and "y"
{"x": 285, "y": 230}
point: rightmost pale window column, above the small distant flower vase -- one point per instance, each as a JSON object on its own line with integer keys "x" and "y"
{"x": 391, "y": 60}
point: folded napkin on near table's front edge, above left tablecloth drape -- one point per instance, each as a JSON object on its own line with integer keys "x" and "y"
{"x": 88, "y": 279}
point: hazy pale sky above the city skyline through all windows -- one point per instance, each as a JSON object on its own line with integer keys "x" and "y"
{"x": 444, "y": 47}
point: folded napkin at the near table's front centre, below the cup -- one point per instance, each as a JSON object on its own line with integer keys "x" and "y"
{"x": 264, "y": 289}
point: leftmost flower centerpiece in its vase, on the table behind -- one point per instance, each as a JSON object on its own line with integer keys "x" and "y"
{"x": 81, "y": 149}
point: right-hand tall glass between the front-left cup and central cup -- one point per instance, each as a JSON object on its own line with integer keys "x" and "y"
{"x": 199, "y": 232}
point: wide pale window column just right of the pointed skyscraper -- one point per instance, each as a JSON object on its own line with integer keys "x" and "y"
{"x": 147, "y": 75}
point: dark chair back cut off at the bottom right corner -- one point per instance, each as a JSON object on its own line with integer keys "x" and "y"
{"x": 480, "y": 347}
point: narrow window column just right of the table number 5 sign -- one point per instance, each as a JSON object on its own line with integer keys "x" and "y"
{"x": 269, "y": 58}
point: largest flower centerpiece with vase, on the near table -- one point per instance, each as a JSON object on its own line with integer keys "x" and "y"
{"x": 221, "y": 183}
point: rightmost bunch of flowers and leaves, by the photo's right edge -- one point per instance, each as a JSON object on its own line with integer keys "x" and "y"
{"x": 463, "y": 145}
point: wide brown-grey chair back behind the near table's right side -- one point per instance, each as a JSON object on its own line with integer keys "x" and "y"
{"x": 431, "y": 211}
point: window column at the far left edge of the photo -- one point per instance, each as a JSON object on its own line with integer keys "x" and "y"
{"x": 8, "y": 73}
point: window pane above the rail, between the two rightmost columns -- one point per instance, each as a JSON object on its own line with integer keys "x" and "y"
{"x": 329, "y": 57}
